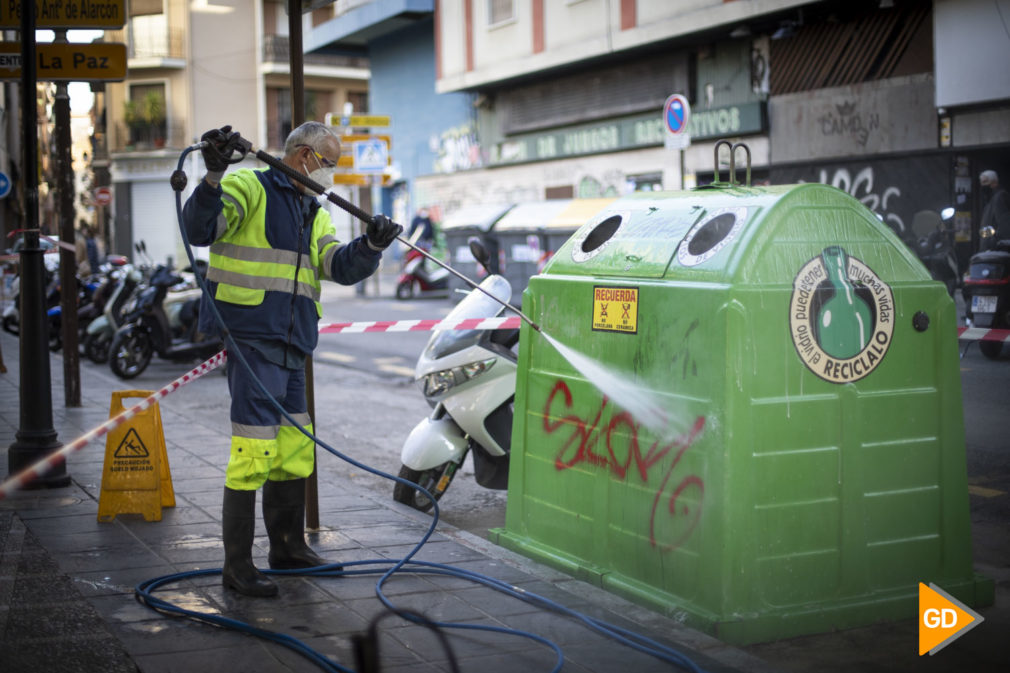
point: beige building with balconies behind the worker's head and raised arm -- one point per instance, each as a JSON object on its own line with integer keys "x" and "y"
{"x": 192, "y": 67}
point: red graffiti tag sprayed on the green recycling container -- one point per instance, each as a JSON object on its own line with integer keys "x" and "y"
{"x": 585, "y": 438}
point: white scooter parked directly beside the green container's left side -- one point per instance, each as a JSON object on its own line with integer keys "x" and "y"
{"x": 469, "y": 379}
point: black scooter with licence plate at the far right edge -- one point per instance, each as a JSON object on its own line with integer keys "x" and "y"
{"x": 987, "y": 290}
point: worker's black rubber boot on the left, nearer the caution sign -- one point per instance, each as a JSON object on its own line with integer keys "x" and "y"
{"x": 239, "y": 528}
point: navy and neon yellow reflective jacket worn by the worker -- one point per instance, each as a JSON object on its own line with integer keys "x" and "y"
{"x": 262, "y": 234}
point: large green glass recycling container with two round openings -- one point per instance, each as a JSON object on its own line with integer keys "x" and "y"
{"x": 811, "y": 469}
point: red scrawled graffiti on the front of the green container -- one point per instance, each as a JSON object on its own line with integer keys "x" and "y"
{"x": 610, "y": 440}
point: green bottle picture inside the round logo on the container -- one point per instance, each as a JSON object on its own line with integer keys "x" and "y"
{"x": 845, "y": 321}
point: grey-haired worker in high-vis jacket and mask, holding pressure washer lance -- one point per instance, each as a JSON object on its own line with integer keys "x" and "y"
{"x": 271, "y": 245}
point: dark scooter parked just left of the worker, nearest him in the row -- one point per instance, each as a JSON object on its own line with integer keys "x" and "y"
{"x": 161, "y": 323}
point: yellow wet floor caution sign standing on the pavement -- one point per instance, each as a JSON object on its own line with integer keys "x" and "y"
{"x": 137, "y": 479}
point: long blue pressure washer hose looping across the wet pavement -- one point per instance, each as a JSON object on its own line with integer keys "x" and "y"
{"x": 145, "y": 592}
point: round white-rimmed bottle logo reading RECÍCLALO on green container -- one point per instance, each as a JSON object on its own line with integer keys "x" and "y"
{"x": 841, "y": 317}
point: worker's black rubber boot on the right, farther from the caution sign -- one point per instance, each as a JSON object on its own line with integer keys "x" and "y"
{"x": 284, "y": 515}
